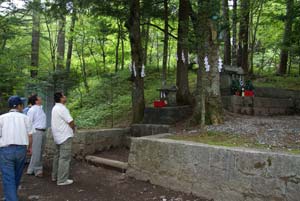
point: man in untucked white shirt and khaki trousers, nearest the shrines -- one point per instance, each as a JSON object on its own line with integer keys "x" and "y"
{"x": 63, "y": 127}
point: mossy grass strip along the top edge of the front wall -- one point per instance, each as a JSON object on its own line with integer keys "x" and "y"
{"x": 229, "y": 140}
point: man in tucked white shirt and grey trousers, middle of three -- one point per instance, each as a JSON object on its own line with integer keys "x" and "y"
{"x": 38, "y": 118}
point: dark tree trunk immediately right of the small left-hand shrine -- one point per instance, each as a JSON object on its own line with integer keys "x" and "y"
{"x": 183, "y": 96}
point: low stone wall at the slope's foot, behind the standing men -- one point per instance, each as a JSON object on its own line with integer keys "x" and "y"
{"x": 91, "y": 141}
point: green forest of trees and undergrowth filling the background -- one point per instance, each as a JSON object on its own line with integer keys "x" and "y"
{"x": 110, "y": 57}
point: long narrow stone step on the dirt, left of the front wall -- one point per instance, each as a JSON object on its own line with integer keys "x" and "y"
{"x": 107, "y": 162}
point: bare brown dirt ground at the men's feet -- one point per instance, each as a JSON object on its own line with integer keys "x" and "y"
{"x": 96, "y": 184}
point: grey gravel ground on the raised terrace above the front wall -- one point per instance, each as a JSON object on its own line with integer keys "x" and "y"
{"x": 280, "y": 133}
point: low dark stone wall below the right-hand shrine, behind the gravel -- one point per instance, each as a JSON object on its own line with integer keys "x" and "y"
{"x": 260, "y": 105}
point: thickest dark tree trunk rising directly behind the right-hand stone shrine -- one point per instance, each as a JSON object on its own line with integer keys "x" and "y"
{"x": 243, "y": 36}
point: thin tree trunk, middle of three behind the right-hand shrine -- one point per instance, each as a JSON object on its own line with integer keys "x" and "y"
{"x": 234, "y": 23}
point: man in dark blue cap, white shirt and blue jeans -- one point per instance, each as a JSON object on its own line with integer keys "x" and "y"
{"x": 15, "y": 138}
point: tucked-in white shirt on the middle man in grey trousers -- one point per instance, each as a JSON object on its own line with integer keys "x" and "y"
{"x": 37, "y": 116}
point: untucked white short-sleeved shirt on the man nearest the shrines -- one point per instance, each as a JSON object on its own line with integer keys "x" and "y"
{"x": 60, "y": 120}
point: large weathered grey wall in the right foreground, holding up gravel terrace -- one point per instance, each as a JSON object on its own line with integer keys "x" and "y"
{"x": 219, "y": 173}
